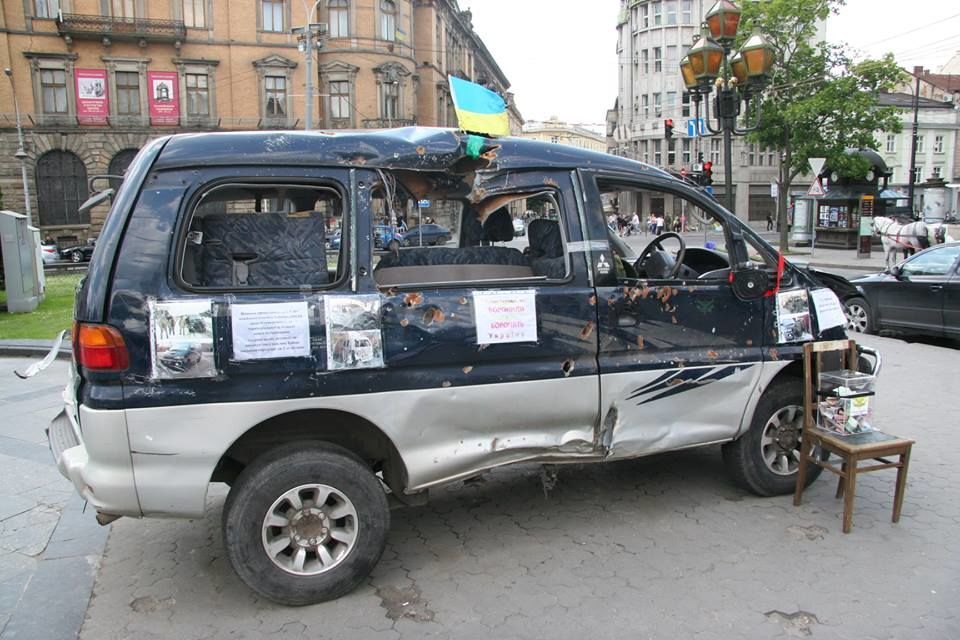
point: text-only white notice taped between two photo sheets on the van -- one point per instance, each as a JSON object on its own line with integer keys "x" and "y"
{"x": 271, "y": 330}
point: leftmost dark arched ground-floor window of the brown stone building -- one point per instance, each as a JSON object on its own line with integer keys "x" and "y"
{"x": 61, "y": 180}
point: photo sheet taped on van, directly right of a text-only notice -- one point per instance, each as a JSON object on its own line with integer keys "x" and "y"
{"x": 353, "y": 332}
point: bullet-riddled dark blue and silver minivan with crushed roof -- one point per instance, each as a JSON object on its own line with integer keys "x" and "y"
{"x": 320, "y": 379}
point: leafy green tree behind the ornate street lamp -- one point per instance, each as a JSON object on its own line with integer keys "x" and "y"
{"x": 820, "y": 101}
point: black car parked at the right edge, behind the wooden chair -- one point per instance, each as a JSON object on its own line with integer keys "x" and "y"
{"x": 919, "y": 296}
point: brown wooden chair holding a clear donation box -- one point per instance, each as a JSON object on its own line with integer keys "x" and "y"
{"x": 851, "y": 449}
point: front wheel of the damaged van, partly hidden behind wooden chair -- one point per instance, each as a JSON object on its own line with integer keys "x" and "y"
{"x": 765, "y": 459}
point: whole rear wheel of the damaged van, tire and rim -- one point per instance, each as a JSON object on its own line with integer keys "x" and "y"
{"x": 297, "y": 573}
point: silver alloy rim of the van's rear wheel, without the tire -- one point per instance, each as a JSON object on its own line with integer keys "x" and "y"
{"x": 310, "y": 529}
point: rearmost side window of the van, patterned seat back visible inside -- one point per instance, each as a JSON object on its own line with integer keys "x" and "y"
{"x": 264, "y": 236}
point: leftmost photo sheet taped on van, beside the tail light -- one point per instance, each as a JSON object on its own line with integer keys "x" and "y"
{"x": 182, "y": 340}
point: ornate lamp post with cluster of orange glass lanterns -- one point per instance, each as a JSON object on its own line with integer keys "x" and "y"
{"x": 738, "y": 78}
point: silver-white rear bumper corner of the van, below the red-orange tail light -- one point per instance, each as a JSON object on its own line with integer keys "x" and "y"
{"x": 96, "y": 458}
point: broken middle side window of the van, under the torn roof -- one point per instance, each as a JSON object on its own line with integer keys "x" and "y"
{"x": 440, "y": 236}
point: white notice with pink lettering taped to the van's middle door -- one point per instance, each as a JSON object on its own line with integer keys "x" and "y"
{"x": 505, "y": 316}
